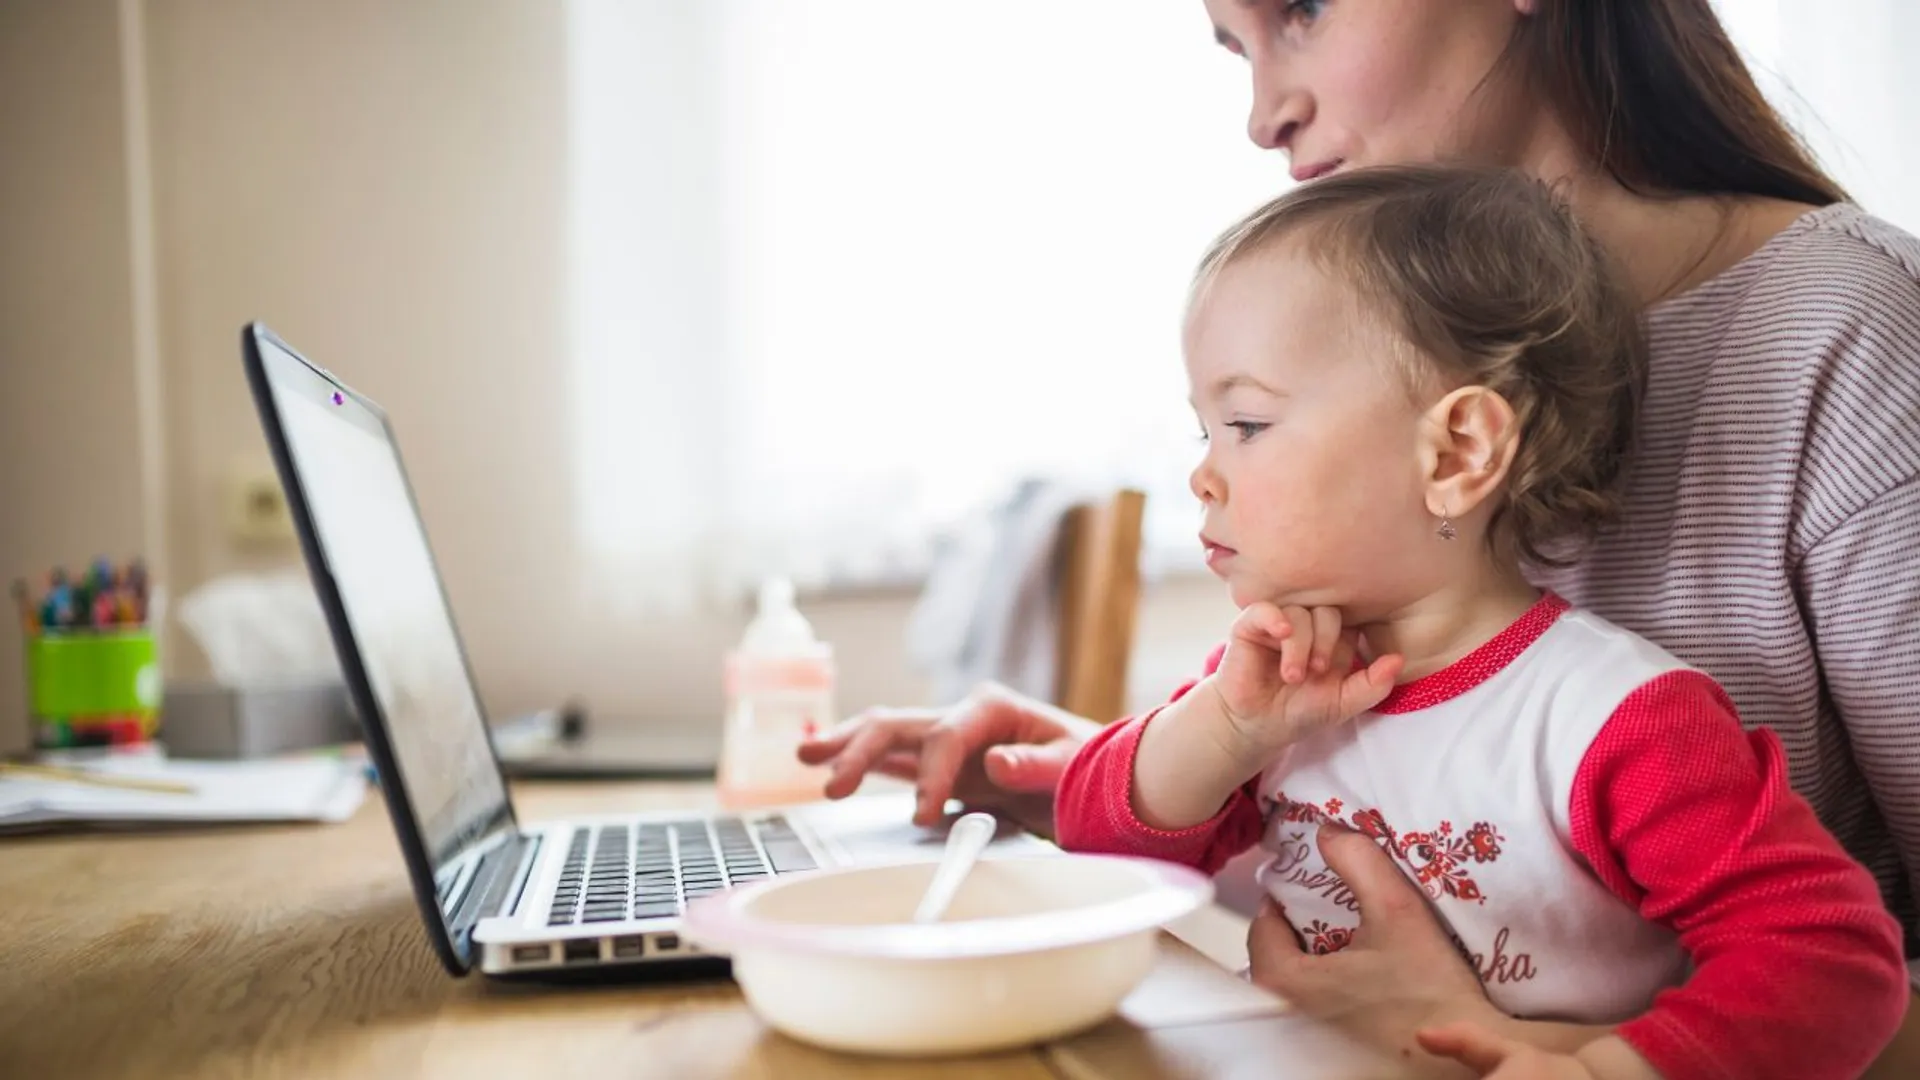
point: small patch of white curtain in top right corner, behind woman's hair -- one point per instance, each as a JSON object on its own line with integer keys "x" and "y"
{"x": 1844, "y": 76}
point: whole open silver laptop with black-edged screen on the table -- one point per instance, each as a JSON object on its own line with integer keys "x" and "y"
{"x": 514, "y": 900}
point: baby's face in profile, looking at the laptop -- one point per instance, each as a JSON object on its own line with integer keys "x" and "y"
{"x": 1312, "y": 472}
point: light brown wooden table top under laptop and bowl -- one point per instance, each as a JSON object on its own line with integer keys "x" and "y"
{"x": 279, "y": 952}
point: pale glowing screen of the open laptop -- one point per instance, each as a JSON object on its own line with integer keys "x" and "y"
{"x": 375, "y": 549}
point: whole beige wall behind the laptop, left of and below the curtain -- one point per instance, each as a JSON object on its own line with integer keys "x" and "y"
{"x": 387, "y": 187}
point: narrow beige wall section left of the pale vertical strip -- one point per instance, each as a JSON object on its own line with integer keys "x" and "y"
{"x": 70, "y": 412}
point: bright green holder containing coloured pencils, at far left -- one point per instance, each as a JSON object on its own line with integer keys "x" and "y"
{"x": 93, "y": 687}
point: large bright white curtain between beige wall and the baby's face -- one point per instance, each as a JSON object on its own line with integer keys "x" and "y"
{"x": 850, "y": 268}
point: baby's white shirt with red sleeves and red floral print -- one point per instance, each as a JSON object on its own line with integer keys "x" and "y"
{"x": 1596, "y": 831}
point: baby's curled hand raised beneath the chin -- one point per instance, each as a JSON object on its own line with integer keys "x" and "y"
{"x": 1289, "y": 674}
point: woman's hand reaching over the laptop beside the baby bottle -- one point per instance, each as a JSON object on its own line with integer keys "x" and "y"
{"x": 996, "y": 749}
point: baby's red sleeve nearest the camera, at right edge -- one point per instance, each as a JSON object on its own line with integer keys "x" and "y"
{"x": 1798, "y": 970}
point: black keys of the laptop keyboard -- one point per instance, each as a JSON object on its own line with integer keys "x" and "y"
{"x": 654, "y": 870}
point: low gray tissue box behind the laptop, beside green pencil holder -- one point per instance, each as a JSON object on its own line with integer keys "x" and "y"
{"x": 254, "y": 722}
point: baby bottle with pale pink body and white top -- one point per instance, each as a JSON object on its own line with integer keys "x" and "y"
{"x": 779, "y": 691}
